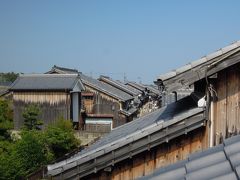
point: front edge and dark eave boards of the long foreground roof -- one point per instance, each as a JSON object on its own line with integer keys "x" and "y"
{"x": 135, "y": 143}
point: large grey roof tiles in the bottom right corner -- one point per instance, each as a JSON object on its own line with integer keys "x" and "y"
{"x": 220, "y": 162}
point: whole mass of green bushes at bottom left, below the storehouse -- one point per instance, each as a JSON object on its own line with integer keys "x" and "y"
{"x": 35, "y": 149}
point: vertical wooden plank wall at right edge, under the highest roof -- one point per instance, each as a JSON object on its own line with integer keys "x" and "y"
{"x": 227, "y": 106}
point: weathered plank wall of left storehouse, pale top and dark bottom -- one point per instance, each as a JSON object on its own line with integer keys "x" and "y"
{"x": 52, "y": 105}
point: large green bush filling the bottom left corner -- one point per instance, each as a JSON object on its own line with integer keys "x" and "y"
{"x": 25, "y": 156}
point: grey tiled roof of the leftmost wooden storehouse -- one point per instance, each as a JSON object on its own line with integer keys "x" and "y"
{"x": 46, "y": 82}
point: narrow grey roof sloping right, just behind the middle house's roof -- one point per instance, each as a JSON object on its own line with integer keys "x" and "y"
{"x": 119, "y": 85}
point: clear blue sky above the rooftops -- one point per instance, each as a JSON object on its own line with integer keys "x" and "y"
{"x": 138, "y": 39}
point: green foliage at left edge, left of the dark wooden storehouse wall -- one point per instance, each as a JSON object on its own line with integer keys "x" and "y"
{"x": 6, "y": 118}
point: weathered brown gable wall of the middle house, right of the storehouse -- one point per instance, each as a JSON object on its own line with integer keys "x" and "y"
{"x": 104, "y": 104}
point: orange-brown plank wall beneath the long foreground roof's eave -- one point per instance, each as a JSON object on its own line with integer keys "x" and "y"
{"x": 160, "y": 156}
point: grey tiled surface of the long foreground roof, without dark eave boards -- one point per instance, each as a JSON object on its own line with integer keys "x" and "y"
{"x": 119, "y": 136}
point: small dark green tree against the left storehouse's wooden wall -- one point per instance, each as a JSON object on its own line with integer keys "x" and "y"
{"x": 30, "y": 115}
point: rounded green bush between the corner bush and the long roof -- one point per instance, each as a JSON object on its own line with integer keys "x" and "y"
{"x": 60, "y": 137}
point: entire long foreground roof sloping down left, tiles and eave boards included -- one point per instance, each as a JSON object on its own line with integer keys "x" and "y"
{"x": 146, "y": 132}
